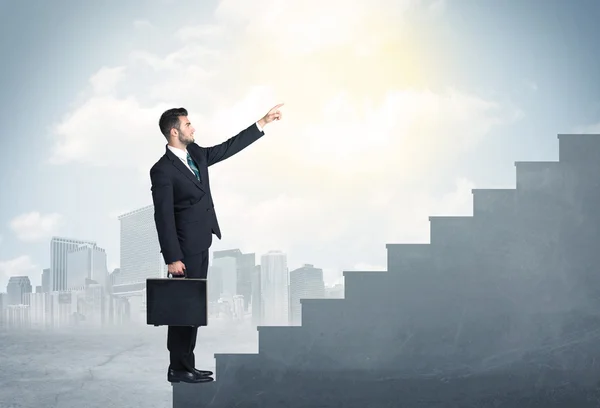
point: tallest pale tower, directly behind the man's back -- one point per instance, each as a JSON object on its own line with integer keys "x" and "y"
{"x": 140, "y": 256}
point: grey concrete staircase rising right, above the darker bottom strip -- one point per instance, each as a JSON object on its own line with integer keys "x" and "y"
{"x": 481, "y": 286}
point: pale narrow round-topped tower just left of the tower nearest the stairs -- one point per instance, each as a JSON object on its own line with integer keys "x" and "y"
{"x": 275, "y": 289}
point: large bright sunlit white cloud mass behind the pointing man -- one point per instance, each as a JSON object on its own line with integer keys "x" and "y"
{"x": 348, "y": 168}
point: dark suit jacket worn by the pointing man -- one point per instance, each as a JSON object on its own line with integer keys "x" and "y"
{"x": 184, "y": 211}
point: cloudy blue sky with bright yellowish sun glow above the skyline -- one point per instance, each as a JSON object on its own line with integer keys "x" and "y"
{"x": 394, "y": 110}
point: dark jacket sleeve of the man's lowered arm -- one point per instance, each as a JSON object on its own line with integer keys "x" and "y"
{"x": 164, "y": 216}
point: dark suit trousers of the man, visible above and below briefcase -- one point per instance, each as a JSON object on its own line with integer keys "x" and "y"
{"x": 181, "y": 340}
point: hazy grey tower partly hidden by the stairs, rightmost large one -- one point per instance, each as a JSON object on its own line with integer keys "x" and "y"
{"x": 305, "y": 283}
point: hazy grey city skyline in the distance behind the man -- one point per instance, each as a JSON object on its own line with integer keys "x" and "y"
{"x": 78, "y": 290}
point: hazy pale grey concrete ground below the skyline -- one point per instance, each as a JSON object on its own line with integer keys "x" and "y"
{"x": 102, "y": 369}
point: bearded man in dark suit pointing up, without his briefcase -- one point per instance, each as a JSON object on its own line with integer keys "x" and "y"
{"x": 185, "y": 216}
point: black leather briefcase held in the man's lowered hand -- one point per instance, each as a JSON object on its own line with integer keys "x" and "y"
{"x": 176, "y": 302}
